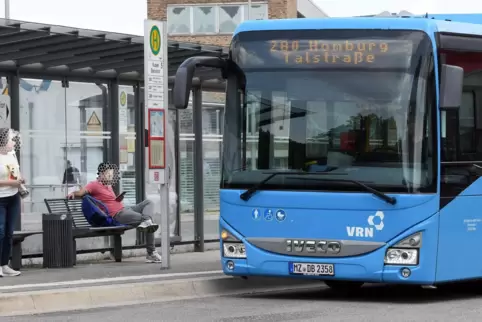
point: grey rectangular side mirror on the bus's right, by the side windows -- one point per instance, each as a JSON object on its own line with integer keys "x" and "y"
{"x": 451, "y": 83}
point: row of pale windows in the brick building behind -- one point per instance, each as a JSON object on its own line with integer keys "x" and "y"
{"x": 211, "y": 19}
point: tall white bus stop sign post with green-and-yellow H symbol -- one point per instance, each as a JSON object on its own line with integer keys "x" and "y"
{"x": 156, "y": 103}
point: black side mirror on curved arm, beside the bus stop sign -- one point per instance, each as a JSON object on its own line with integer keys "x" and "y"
{"x": 185, "y": 74}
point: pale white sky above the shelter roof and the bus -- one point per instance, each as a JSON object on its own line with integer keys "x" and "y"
{"x": 126, "y": 16}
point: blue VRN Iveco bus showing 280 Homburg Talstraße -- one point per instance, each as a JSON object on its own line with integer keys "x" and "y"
{"x": 352, "y": 150}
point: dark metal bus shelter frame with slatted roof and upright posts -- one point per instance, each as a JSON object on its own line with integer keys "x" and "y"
{"x": 47, "y": 52}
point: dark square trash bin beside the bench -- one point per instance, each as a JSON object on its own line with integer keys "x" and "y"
{"x": 58, "y": 243}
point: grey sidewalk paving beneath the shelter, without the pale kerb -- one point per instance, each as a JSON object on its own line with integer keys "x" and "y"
{"x": 182, "y": 264}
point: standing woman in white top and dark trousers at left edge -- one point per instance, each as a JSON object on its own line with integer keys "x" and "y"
{"x": 10, "y": 182}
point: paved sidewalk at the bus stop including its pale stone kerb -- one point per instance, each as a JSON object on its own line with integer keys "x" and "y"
{"x": 106, "y": 284}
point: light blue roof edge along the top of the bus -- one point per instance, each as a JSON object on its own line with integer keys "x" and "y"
{"x": 430, "y": 26}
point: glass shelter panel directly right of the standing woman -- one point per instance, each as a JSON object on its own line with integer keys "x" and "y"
{"x": 43, "y": 124}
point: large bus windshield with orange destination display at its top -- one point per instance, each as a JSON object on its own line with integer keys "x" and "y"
{"x": 353, "y": 102}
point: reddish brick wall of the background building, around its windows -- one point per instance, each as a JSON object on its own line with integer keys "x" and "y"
{"x": 156, "y": 9}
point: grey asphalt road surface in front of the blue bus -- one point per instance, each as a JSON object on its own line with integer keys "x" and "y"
{"x": 371, "y": 304}
